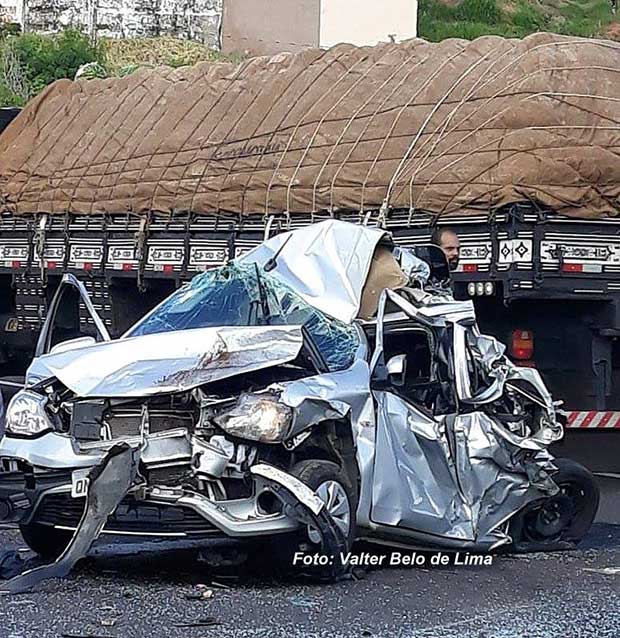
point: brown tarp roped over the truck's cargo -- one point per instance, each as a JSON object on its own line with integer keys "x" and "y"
{"x": 453, "y": 126}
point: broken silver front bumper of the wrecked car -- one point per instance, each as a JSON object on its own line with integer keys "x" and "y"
{"x": 34, "y": 470}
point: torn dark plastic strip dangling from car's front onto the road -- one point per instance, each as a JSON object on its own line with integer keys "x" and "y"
{"x": 109, "y": 483}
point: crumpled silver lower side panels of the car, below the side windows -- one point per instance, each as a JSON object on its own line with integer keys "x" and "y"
{"x": 458, "y": 479}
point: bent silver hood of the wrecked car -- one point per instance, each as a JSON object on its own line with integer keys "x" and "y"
{"x": 169, "y": 361}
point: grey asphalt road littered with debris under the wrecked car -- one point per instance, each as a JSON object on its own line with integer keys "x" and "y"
{"x": 560, "y": 595}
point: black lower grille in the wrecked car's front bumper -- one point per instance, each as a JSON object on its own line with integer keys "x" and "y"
{"x": 130, "y": 517}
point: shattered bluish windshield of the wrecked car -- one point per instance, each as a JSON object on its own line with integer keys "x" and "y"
{"x": 243, "y": 295}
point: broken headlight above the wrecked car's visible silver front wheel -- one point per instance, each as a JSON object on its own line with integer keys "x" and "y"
{"x": 258, "y": 417}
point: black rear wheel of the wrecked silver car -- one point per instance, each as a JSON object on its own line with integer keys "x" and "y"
{"x": 564, "y": 518}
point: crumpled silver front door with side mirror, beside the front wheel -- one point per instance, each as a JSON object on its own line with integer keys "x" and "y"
{"x": 415, "y": 482}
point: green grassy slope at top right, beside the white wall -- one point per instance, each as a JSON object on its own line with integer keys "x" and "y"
{"x": 469, "y": 19}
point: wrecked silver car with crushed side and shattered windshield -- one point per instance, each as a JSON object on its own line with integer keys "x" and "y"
{"x": 320, "y": 389}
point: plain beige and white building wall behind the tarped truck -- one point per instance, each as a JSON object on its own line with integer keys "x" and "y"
{"x": 271, "y": 26}
